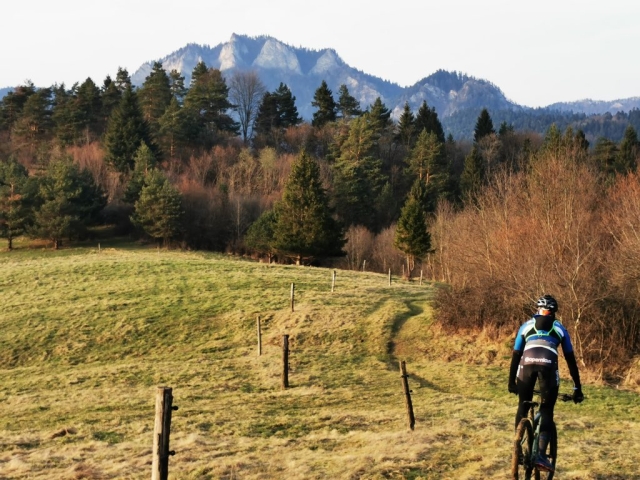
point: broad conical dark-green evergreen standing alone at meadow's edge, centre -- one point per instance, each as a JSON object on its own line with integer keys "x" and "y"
{"x": 305, "y": 227}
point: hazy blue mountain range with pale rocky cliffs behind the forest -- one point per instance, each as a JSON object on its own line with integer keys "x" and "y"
{"x": 457, "y": 98}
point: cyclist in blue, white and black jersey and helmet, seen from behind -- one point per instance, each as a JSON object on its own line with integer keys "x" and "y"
{"x": 535, "y": 357}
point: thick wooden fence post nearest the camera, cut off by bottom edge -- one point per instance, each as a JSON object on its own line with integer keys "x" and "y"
{"x": 161, "y": 432}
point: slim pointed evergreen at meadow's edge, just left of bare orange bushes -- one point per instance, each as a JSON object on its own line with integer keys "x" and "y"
{"x": 412, "y": 237}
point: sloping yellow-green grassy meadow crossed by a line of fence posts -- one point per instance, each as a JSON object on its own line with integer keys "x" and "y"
{"x": 87, "y": 335}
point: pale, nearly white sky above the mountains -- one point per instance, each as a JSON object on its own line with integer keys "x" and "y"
{"x": 537, "y": 52}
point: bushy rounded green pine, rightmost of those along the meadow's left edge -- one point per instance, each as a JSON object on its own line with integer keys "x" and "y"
{"x": 158, "y": 211}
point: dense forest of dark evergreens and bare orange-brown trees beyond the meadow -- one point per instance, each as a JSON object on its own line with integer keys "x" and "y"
{"x": 223, "y": 164}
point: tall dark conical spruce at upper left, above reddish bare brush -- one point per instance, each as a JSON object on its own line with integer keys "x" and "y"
{"x": 126, "y": 131}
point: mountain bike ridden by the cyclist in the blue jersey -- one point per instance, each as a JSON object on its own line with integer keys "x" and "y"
{"x": 525, "y": 445}
